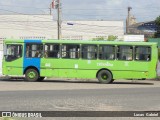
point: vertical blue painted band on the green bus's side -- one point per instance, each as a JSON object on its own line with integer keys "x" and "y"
{"x": 35, "y": 62}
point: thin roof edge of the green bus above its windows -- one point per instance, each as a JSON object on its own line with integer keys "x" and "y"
{"x": 80, "y": 42}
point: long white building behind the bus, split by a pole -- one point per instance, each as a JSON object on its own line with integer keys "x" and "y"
{"x": 44, "y": 27}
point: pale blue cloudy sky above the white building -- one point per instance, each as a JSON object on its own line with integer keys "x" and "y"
{"x": 143, "y": 10}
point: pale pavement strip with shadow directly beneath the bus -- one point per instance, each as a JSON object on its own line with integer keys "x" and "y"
{"x": 18, "y": 85}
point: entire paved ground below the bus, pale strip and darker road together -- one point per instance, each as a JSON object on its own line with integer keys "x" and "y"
{"x": 59, "y": 95}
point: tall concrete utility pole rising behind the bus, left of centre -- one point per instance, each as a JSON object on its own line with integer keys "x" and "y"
{"x": 57, "y": 5}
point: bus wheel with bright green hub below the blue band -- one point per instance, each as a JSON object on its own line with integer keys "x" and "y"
{"x": 31, "y": 75}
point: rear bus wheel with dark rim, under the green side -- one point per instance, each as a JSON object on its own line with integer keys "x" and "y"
{"x": 105, "y": 77}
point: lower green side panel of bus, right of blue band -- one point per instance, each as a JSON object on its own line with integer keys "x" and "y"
{"x": 88, "y": 68}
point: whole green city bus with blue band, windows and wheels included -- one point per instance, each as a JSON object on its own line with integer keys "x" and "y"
{"x": 104, "y": 60}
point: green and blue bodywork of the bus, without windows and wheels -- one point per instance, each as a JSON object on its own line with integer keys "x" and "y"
{"x": 82, "y": 68}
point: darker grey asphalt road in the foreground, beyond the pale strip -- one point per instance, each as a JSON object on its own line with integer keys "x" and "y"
{"x": 96, "y": 99}
